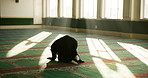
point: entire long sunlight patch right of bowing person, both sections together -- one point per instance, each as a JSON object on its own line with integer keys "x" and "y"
{"x": 98, "y": 47}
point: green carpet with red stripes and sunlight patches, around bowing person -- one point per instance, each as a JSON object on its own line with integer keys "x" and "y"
{"x": 23, "y": 54}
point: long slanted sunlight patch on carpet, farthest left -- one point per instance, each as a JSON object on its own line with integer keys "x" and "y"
{"x": 27, "y": 44}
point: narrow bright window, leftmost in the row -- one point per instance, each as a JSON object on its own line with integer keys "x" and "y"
{"x": 52, "y": 8}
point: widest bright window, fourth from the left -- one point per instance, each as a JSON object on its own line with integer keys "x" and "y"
{"x": 113, "y": 9}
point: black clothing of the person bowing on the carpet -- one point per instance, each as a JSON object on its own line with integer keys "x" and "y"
{"x": 65, "y": 47}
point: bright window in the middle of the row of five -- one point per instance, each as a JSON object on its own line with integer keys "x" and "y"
{"x": 88, "y": 8}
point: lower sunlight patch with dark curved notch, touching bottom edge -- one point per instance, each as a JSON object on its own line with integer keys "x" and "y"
{"x": 121, "y": 71}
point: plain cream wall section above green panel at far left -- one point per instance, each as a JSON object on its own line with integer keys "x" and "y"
{"x": 11, "y": 9}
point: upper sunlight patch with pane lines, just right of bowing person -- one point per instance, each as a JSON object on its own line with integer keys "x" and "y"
{"x": 99, "y": 48}
